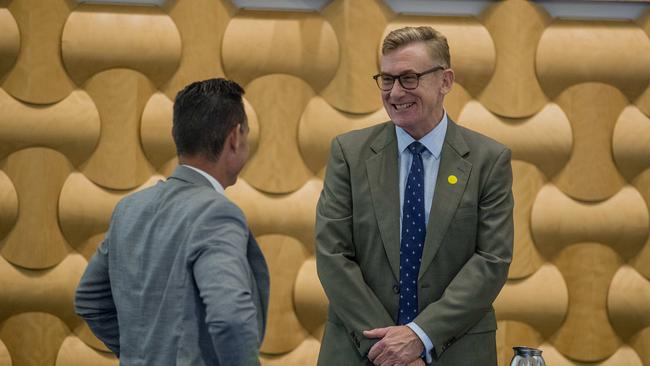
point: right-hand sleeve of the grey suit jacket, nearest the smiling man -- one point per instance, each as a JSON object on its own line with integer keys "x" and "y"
{"x": 223, "y": 278}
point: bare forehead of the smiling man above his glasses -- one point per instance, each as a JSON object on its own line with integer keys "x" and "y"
{"x": 411, "y": 57}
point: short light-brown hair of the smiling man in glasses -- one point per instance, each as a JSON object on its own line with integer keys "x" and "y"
{"x": 435, "y": 42}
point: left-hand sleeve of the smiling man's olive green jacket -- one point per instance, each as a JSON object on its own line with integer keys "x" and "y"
{"x": 349, "y": 296}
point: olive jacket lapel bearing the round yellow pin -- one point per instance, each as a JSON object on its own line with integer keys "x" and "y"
{"x": 447, "y": 195}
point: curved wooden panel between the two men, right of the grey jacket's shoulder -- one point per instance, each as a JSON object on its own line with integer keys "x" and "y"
{"x": 292, "y": 214}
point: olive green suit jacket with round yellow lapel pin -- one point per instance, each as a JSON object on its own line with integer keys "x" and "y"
{"x": 468, "y": 245}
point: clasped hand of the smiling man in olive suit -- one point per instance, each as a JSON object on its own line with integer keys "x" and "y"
{"x": 399, "y": 346}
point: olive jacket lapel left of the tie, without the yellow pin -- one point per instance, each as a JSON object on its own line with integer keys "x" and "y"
{"x": 383, "y": 179}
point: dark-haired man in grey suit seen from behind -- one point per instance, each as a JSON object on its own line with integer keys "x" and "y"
{"x": 179, "y": 278}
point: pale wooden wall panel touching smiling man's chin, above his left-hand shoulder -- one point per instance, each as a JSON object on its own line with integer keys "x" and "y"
{"x": 320, "y": 123}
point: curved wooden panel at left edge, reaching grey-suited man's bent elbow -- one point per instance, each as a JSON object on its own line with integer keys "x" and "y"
{"x": 50, "y": 291}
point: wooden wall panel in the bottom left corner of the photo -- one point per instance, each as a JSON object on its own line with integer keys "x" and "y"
{"x": 33, "y": 339}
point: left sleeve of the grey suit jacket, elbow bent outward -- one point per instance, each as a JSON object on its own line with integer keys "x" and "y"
{"x": 94, "y": 299}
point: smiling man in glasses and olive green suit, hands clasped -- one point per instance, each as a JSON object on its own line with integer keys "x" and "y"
{"x": 414, "y": 224}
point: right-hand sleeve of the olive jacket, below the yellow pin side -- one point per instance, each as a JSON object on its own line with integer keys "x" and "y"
{"x": 469, "y": 296}
